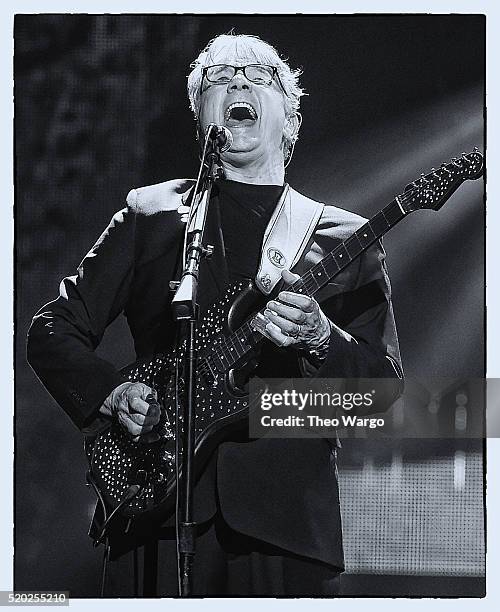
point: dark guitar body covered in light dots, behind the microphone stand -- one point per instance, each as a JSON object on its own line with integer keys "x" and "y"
{"x": 117, "y": 462}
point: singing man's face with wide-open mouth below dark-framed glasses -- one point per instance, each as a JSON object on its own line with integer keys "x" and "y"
{"x": 254, "y": 113}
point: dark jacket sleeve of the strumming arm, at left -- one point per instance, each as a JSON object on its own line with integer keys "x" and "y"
{"x": 65, "y": 332}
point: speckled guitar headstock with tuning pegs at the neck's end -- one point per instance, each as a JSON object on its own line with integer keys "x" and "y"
{"x": 432, "y": 190}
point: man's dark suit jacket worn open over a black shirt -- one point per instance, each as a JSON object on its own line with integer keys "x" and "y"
{"x": 280, "y": 491}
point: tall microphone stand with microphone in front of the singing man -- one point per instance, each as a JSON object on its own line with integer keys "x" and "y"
{"x": 185, "y": 309}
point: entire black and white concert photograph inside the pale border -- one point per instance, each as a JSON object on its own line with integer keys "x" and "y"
{"x": 219, "y": 218}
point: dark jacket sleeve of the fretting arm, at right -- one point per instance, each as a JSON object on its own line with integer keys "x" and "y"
{"x": 362, "y": 307}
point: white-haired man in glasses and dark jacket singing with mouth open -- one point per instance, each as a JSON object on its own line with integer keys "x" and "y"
{"x": 267, "y": 510}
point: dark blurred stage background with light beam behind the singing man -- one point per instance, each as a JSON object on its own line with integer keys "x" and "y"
{"x": 101, "y": 108}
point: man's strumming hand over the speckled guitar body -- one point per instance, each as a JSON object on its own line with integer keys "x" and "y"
{"x": 127, "y": 403}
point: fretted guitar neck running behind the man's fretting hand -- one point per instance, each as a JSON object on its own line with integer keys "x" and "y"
{"x": 234, "y": 347}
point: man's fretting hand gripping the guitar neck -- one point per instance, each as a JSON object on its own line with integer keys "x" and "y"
{"x": 296, "y": 320}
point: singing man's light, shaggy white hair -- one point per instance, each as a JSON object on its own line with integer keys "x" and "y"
{"x": 248, "y": 47}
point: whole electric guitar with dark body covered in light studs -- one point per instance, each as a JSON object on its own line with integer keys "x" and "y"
{"x": 137, "y": 480}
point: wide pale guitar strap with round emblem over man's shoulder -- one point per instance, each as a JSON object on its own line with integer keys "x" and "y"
{"x": 286, "y": 236}
